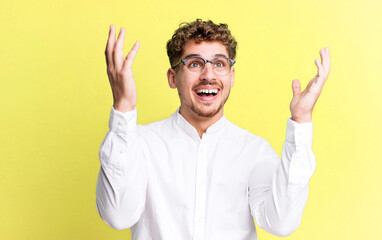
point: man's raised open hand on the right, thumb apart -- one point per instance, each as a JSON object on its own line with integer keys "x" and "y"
{"x": 302, "y": 104}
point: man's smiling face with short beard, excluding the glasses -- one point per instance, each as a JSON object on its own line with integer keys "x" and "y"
{"x": 192, "y": 87}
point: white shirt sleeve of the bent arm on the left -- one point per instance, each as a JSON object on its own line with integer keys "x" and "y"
{"x": 123, "y": 176}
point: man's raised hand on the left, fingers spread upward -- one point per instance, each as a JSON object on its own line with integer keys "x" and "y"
{"x": 119, "y": 71}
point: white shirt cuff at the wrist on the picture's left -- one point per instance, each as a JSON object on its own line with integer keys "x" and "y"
{"x": 123, "y": 122}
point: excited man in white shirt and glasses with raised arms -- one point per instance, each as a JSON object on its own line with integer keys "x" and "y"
{"x": 196, "y": 175}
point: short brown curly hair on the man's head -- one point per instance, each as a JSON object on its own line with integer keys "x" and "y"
{"x": 199, "y": 31}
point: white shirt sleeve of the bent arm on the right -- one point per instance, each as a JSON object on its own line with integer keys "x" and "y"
{"x": 278, "y": 190}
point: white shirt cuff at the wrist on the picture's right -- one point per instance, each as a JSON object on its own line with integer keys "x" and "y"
{"x": 299, "y": 133}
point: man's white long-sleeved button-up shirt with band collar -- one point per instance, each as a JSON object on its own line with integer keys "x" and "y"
{"x": 165, "y": 182}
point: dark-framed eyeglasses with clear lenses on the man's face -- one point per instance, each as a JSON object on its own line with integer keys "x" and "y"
{"x": 196, "y": 65}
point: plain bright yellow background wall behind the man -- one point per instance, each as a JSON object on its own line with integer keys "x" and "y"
{"x": 55, "y": 102}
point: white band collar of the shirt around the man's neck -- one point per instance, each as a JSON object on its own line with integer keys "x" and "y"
{"x": 186, "y": 126}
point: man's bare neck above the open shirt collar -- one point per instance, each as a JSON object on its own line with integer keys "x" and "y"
{"x": 201, "y": 124}
